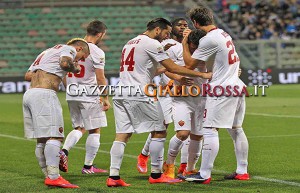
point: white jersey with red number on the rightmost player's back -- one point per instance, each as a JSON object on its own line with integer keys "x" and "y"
{"x": 218, "y": 51}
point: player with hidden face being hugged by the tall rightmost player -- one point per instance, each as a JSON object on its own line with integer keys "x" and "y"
{"x": 187, "y": 115}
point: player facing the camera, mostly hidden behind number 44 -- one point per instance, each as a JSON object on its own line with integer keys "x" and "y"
{"x": 178, "y": 26}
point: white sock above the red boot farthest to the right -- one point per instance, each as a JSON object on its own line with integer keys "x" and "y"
{"x": 241, "y": 148}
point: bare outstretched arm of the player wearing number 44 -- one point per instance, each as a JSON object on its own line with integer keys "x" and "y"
{"x": 173, "y": 68}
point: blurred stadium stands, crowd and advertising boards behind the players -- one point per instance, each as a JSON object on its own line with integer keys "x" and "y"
{"x": 266, "y": 33}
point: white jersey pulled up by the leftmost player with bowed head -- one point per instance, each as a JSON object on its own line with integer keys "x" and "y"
{"x": 49, "y": 59}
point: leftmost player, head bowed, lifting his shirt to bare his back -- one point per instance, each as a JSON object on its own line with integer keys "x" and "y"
{"x": 43, "y": 119}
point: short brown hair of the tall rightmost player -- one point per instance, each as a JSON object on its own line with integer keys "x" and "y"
{"x": 202, "y": 15}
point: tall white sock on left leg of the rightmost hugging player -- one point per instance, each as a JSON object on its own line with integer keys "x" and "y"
{"x": 210, "y": 150}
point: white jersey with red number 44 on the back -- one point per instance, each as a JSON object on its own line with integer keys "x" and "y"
{"x": 140, "y": 59}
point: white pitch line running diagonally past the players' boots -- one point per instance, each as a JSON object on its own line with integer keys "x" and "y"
{"x": 135, "y": 157}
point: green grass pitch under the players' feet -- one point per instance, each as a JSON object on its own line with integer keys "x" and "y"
{"x": 272, "y": 124}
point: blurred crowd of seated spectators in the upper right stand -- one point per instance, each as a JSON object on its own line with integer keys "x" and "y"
{"x": 269, "y": 19}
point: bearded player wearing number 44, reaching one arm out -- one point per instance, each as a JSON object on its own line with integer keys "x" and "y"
{"x": 139, "y": 113}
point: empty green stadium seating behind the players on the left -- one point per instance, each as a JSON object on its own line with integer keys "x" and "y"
{"x": 26, "y": 32}
